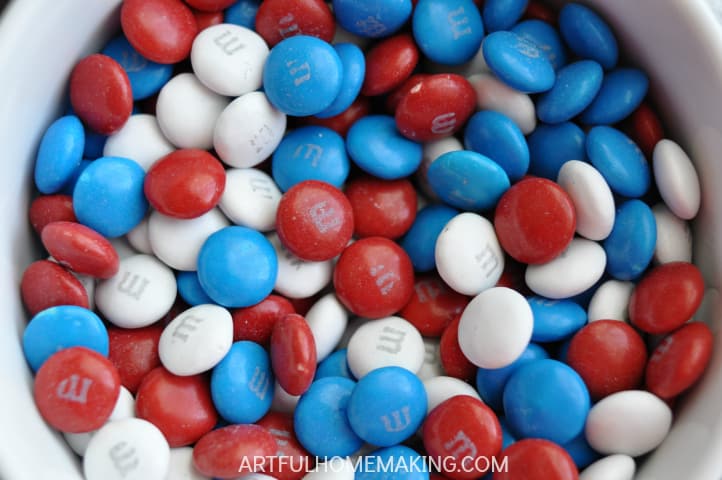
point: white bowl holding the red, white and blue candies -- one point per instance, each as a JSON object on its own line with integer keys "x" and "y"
{"x": 678, "y": 41}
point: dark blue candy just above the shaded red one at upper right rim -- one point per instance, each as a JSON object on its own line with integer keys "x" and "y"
{"x": 622, "y": 92}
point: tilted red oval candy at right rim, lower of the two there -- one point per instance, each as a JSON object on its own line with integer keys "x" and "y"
{"x": 679, "y": 360}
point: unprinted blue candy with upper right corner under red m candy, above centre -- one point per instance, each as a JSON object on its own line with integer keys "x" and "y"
{"x": 377, "y": 147}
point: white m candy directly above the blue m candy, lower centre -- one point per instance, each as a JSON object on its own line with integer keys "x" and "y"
{"x": 390, "y": 341}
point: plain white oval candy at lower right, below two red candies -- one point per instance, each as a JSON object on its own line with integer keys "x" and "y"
{"x": 632, "y": 422}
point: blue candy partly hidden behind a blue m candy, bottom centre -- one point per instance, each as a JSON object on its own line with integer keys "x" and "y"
{"x": 320, "y": 420}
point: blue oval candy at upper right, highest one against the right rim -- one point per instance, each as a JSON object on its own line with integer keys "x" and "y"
{"x": 588, "y": 35}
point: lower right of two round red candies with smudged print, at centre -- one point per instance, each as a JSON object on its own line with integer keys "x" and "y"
{"x": 374, "y": 277}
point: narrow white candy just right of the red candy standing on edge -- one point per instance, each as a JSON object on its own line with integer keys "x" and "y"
{"x": 327, "y": 319}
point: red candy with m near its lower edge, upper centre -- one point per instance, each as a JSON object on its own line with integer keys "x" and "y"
{"x": 435, "y": 107}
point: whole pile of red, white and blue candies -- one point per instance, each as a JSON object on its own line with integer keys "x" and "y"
{"x": 226, "y": 296}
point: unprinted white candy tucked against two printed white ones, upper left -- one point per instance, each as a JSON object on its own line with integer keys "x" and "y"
{"x": 187, "y": 112}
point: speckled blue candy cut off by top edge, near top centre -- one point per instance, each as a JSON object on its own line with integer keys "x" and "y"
{"x": 372, "y": 18}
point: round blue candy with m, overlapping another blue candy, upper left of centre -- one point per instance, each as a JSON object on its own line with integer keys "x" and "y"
{"x": 303, "y": 75}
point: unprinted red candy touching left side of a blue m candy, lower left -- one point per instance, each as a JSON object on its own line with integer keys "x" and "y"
{"x": 181, "y": 407}
